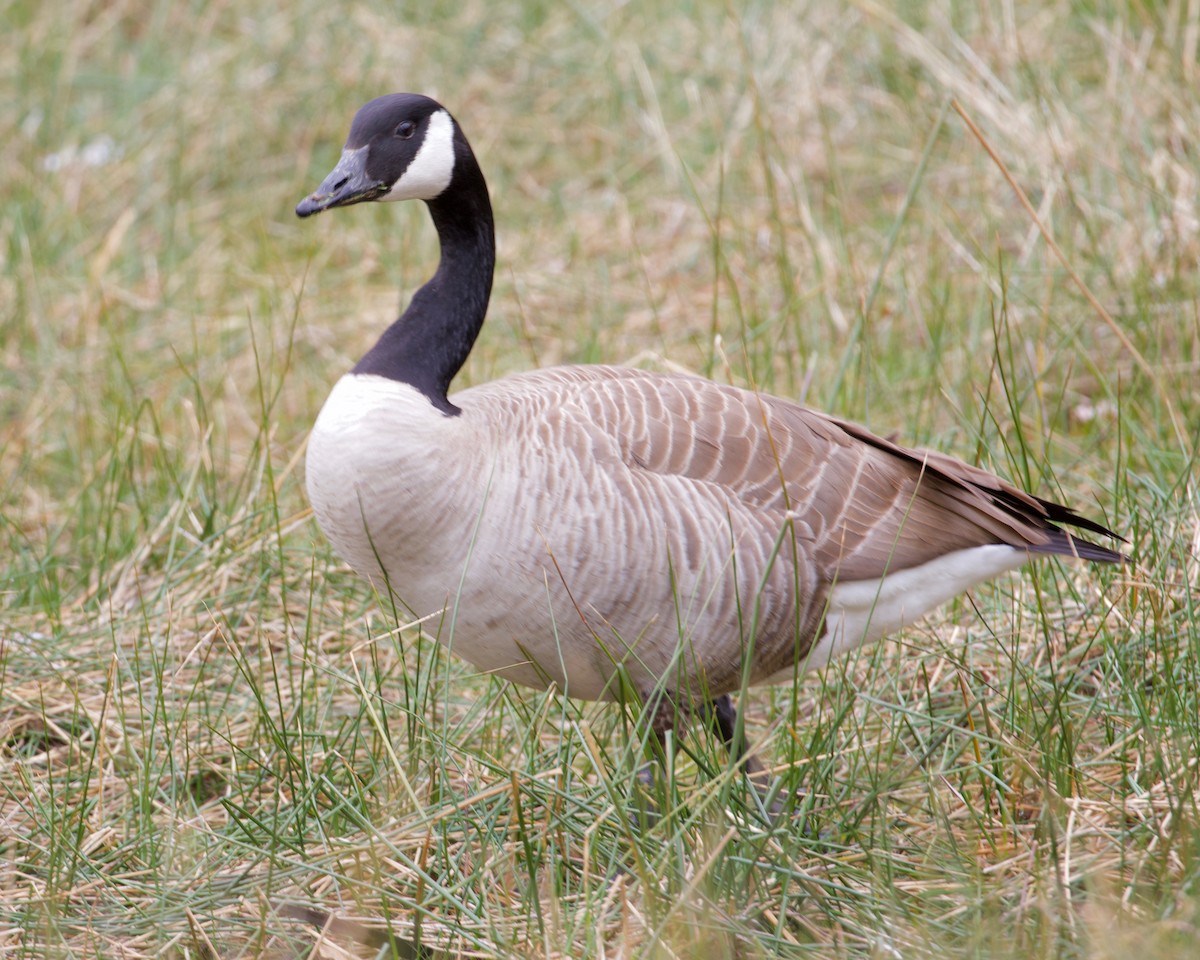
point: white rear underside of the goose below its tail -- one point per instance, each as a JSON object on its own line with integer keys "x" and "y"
{"x": 866, "y": 610}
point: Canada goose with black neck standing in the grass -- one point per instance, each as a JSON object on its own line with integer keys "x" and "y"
{"x": 583, "y": 526}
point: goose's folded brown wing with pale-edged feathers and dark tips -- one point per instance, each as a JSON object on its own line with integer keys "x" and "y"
{"x": 865, "y": 505}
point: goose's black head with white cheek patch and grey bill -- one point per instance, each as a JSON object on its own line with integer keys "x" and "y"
{"x": 403, "y": 147}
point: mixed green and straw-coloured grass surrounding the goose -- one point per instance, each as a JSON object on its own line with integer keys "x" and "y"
{"x": 205, "y": 717}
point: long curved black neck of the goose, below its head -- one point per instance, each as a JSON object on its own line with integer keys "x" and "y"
{"x": 430, "y": 343}
